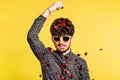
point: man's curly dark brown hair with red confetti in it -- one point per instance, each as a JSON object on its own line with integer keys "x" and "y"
{"x": 62, "y": 26}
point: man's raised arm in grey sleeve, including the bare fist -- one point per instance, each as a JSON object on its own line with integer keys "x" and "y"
{"x": 32, "y": 37}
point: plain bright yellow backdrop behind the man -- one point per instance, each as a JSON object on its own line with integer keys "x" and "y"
{"x": 97, "y": 24}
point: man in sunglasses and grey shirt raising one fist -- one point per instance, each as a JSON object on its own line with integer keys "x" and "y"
{"x": 61, "y": 64}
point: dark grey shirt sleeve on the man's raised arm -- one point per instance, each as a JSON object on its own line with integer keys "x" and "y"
{"x": 36, "y": 45}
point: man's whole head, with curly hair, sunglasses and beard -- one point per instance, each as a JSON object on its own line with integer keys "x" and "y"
{"x": 62, "y": 31}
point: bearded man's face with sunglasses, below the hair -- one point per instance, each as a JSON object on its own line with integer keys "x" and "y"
{"x": 62, "y": 43}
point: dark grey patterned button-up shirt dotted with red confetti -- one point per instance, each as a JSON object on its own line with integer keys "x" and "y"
{"x": 55, "y": 65}
